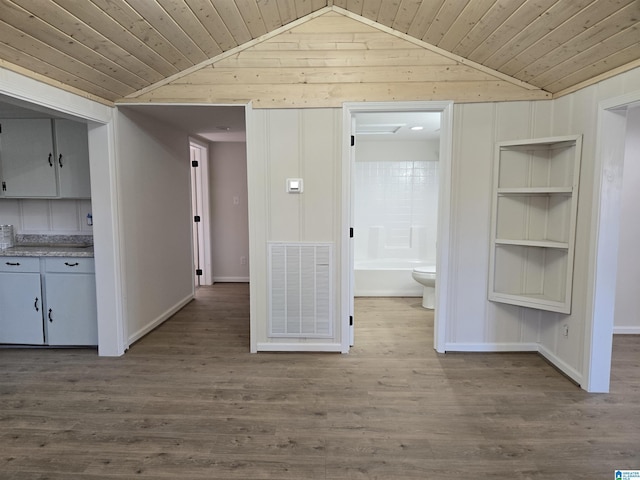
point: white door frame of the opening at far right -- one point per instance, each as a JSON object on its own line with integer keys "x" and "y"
{"x": 603, "y": 258}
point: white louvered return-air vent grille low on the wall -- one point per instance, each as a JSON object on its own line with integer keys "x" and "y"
{"x": 300, "y": 290}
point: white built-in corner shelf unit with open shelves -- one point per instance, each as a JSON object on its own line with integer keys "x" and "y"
{"x": 535, "y": 200}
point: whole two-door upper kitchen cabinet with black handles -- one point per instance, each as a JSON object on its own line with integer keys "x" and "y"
{"x": 44, "y": 158}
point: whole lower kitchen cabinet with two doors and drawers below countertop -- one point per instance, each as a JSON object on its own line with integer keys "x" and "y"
{"x": 48, "y": 302}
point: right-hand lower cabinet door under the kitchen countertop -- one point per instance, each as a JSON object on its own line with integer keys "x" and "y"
{"x": 70, "y": 312}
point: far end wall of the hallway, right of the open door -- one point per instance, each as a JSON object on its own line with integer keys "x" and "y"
{"x": 229, "y": 213}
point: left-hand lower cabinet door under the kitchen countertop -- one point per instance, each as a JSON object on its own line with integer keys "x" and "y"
{"x": 21, "y": 312}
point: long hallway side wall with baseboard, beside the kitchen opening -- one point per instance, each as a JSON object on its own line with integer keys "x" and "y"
{"x": 155, "y": 217}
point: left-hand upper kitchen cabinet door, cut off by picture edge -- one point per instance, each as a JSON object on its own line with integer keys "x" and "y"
{"x": 26, "y": 152}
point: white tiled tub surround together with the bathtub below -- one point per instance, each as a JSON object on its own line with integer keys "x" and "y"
{"x": 396, "y": 207}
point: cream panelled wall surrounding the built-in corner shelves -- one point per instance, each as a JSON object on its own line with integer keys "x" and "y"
{"x": 475, "y": 323}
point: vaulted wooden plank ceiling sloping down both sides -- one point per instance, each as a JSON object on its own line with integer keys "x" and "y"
{"x": 112, "y": 49}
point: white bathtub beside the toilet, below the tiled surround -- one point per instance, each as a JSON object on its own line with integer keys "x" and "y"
{"x": 386, "y": 278}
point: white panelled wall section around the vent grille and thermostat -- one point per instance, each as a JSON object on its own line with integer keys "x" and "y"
{"x": 293, "y": 144}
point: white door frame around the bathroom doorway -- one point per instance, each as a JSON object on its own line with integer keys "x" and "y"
{"x": 443, "y": 254}
